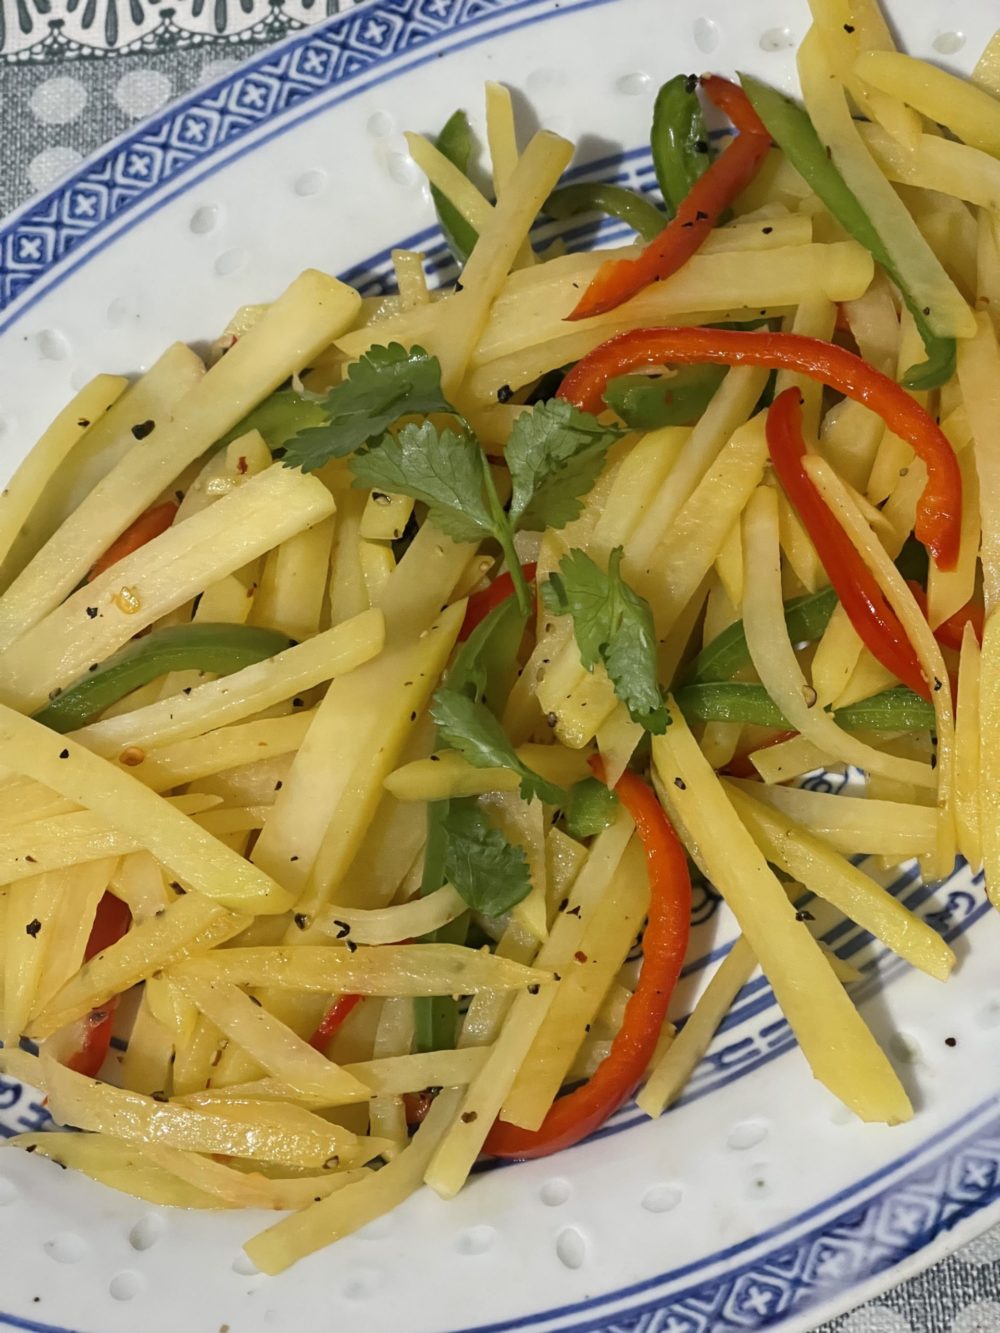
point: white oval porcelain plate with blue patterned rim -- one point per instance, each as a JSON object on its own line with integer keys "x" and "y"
{"x": 757, "y": 1203}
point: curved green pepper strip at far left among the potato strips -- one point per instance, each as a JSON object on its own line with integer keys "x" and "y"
{"x": 211, "y": 649}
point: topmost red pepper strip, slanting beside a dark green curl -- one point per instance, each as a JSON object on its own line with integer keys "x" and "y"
{"x": 617, "y": 281}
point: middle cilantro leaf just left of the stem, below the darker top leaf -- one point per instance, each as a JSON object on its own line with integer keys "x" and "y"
{"x": 442, "y": 469}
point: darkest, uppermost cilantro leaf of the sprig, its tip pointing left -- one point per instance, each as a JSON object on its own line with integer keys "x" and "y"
{"x": 386, "y": 385}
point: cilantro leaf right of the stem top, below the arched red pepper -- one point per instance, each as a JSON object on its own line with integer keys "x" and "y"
{"x": 555, "y": 455}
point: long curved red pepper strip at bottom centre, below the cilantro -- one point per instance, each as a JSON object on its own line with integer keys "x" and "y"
{"x": 665, "y": 946}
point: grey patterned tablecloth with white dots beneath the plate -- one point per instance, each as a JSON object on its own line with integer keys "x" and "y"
{"x": 75, "y": 74}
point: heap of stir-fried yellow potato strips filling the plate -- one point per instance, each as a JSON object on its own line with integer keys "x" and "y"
{"x": 354, "y": 950}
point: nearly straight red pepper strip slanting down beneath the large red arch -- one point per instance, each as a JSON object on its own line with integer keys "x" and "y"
{"x": 865, "y": 602}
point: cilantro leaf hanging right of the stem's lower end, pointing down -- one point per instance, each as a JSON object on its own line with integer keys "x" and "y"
{"x": 614, "y": 626}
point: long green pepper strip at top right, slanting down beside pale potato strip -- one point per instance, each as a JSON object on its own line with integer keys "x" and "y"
{"x": 791, "y": 129}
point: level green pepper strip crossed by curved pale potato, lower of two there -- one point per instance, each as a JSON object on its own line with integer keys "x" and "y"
{"x": 897, "y": 710}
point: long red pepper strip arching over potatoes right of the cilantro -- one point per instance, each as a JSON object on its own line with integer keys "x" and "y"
{"x": 939, "y": 511}
